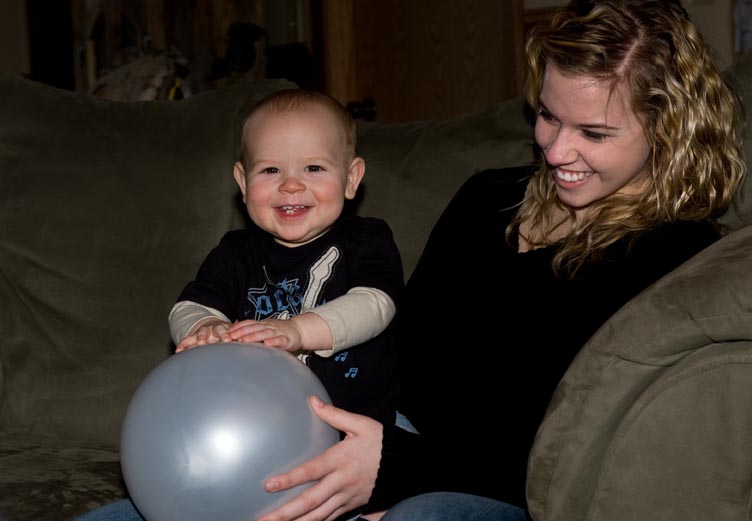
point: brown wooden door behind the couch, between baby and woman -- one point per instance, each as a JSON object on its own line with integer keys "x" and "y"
{"x": 403, "y": 60}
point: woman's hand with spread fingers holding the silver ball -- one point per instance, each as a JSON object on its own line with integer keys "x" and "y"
{"x": 346, "y": 472}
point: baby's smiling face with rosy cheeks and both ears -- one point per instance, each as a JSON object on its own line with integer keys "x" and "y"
{"x": 297, "y": 176}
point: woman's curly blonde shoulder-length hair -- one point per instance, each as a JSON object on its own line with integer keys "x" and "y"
{"x": 692, "y": 119}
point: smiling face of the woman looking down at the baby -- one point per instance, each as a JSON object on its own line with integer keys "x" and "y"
{"x": 591, "y": 138}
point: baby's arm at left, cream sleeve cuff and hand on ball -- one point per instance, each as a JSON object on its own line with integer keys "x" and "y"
{"x": 193, "y": 324}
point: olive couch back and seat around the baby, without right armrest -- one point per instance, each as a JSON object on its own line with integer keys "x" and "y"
{"x": 106, "y": 211}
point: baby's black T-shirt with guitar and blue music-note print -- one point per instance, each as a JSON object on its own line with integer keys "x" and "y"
{"x": 249, "y": 275}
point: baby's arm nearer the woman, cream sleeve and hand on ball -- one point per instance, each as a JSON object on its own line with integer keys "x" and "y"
{"x": 349, "y": 320}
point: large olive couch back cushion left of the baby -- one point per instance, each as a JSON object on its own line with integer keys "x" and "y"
{"x": 106, "y": 211}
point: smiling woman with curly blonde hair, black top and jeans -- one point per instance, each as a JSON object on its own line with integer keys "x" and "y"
{"x": 640, "y": 151}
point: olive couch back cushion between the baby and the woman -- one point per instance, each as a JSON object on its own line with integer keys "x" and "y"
{"x": 414, "y": 169}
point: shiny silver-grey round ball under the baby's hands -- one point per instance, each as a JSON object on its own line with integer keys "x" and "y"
{"x": 208, "y": 426}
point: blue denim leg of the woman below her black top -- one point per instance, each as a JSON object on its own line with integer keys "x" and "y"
{"x": 453, "y": 506}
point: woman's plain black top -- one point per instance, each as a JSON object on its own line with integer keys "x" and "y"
{"x": 485, "y": 334}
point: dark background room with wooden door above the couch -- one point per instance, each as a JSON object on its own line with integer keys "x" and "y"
{"x": 387, "y": 60}
